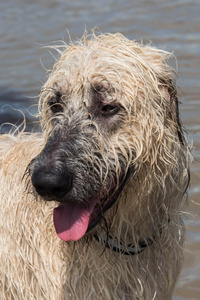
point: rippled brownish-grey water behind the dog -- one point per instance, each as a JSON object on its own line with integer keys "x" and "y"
{"x": 174, "y": 25}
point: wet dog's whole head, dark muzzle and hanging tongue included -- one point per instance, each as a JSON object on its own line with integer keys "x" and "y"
{"x": 107, "y": 107}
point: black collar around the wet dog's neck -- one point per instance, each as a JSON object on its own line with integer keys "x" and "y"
{"x": 118, "y": 247}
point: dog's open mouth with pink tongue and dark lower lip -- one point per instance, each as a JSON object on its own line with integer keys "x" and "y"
{"x": 73, "y": 220}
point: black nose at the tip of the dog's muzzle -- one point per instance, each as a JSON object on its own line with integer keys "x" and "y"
{"x": 52, "y": 183}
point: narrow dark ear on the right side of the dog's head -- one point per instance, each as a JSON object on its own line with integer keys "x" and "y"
{"x": 169, "y": 88}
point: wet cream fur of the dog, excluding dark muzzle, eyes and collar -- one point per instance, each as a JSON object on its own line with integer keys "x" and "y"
{"x": 34, "y": 262}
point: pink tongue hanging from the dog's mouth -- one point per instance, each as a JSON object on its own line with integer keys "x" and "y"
{"x": 71, "y": 220}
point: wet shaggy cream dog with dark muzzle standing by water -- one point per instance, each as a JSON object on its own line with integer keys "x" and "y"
{"x": 92, "y": 208}
